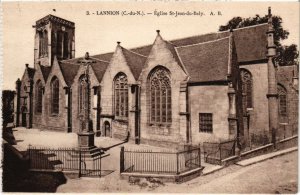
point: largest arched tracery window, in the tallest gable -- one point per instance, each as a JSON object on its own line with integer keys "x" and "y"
{"x": 160, "y": 96}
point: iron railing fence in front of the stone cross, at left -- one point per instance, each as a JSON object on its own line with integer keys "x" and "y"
{"x": 64, "y": 159}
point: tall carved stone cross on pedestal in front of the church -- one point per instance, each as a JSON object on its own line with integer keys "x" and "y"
{"x": 86, "y": 133}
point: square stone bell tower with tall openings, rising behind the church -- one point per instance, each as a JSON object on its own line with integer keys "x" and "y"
{"x": 54, "y": 36}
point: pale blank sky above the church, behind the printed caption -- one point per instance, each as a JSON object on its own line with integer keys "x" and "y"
{"x": 99, "y": 33}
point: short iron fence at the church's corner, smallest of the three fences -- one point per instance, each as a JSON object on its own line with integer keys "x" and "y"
{"x": 214, "y": 153}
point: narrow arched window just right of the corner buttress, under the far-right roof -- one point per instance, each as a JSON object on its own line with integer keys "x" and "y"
{"x": 247, "y": 85}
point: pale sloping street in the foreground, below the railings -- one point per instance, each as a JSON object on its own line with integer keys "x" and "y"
{"x": 277, "y": 175}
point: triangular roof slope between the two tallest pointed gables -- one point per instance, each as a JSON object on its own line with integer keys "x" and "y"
{"x": 135, "y": 61}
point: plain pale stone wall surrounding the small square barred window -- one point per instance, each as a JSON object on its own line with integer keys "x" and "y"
{"x": 209, "y": 99}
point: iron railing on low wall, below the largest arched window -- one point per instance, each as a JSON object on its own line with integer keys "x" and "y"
{"x": 159, "y": 162}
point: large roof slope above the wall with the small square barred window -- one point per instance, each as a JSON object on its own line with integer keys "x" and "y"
{"x": 206, "y": 61}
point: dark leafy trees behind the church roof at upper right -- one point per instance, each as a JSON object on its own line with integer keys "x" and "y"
{"x": 287, "y": 55}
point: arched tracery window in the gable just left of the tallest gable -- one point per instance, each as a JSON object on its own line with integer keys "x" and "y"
{"x": 121, "y": 95}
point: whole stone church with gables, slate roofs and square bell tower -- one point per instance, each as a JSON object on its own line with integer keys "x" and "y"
{"x": 205, "y": 88}
